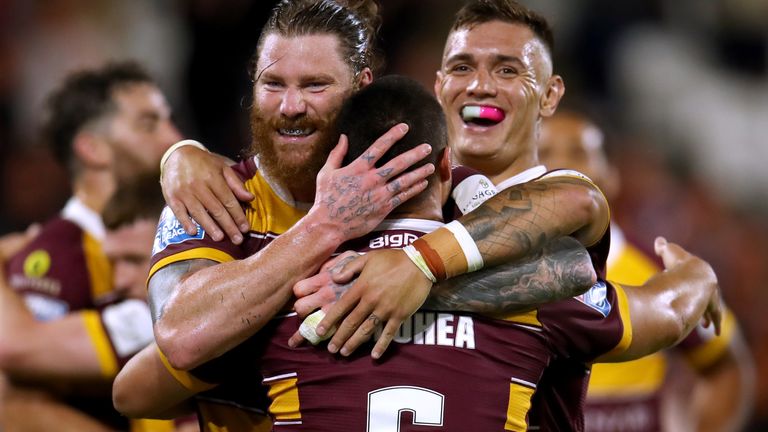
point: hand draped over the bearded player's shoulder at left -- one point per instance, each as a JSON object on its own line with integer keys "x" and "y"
{"x": 202, "y": 186}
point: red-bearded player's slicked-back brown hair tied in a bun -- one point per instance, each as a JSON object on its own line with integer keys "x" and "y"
{"x": 355, "y": 23}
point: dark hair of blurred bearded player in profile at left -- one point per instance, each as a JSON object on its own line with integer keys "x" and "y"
{"x": 85, "y": 97}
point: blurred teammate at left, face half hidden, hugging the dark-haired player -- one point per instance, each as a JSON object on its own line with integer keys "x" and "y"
{"x": 67, "y": 360}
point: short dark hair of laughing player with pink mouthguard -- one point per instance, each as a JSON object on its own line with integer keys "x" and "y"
{"x": 477, "y": 12}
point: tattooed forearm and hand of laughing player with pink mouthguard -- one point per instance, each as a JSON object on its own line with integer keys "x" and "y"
{"x": 513, "y": 224}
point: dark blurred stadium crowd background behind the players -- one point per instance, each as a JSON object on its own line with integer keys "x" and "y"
{"x": 680, "y": 87}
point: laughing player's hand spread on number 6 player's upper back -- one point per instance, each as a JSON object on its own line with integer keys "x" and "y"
{"x": 388, "y": 290}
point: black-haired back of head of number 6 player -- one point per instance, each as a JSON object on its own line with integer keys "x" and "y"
{"x": 390, "y": 100}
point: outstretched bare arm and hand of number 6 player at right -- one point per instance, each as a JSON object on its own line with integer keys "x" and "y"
{"x": 670, "y": 304}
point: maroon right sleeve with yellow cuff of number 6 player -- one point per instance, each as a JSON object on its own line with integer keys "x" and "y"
{"x": 590, "y": 325}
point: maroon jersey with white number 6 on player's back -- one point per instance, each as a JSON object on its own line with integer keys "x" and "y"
{"x": 453, "y": 370}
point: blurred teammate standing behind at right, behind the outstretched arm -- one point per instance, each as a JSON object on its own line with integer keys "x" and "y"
{"x": 628, "y": 396}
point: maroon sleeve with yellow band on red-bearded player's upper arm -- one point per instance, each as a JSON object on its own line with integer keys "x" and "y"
{"x": 173, "y": 244}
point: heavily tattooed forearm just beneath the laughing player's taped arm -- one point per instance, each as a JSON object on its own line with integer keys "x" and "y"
{"x": 562, "y": 269}
